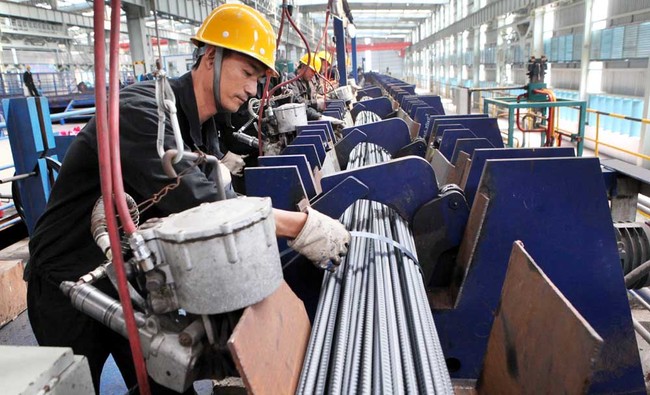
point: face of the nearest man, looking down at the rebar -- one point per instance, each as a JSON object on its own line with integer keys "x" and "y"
{"x": 239, "y": 76}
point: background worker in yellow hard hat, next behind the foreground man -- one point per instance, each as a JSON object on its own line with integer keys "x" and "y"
{"x": 305, "y": 90}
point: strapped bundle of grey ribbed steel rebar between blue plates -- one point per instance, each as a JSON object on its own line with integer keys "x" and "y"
{"x": 373, "y": 331}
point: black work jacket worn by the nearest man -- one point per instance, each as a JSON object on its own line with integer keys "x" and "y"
{"x": 62, "y": 246}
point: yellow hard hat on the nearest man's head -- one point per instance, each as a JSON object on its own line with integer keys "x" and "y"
{"x": 239, "y": 28}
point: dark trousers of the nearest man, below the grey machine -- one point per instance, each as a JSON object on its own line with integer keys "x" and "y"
{"x": 56, "y": 323}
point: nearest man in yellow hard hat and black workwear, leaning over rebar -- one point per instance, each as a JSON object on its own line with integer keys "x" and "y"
{"x": 236, "y": 48}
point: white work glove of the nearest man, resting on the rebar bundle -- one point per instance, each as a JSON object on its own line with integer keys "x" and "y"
{"x": 322, "y": 240}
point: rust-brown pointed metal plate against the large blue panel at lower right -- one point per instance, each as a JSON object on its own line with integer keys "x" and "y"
{"x": 539, "y": 342}
